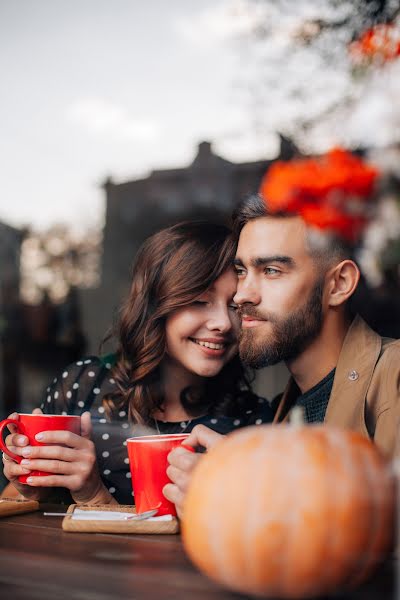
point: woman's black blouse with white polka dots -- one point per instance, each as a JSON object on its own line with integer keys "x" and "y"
{"x": 82, "y": 386}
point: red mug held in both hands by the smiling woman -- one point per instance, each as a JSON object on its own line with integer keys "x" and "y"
{"x": 32, "y": 424}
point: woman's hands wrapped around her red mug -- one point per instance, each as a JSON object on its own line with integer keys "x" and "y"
{"x": 70, "y": 459}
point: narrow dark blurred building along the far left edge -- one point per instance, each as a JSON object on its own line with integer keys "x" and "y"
{"x": 10, "y": 332}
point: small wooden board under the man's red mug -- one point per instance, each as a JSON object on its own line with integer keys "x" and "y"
{"x": 145, "y": 526}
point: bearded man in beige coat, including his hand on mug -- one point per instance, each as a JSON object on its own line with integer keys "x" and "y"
{"x": 294, "y": 287}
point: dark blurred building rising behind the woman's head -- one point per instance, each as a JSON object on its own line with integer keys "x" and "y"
{"x": 210, "y": 187}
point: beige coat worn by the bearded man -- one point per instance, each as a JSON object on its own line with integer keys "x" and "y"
{"x": 365, "y": 395}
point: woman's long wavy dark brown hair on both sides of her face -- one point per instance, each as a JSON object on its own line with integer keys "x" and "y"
{"x": 173, "y": 268}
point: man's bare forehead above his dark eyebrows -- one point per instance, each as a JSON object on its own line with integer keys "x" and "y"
{"x": 269, "y": 236}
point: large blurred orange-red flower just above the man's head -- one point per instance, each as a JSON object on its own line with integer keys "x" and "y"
{"x": 329, "y": 192}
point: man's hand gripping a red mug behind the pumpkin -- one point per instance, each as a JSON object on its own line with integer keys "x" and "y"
{"x": 182, "y": 463}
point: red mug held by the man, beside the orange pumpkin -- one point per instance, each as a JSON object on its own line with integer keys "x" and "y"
{"x": 148, "y": 464}
